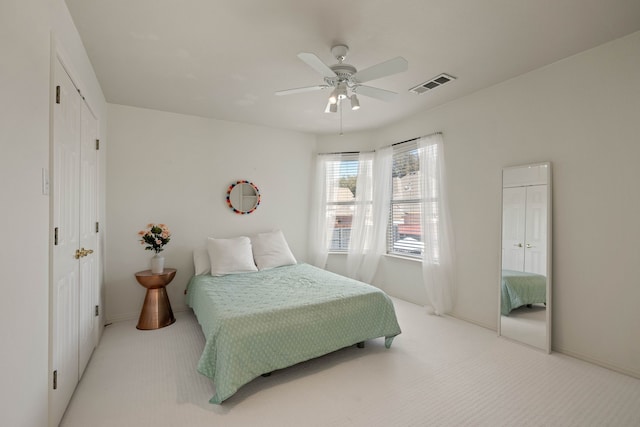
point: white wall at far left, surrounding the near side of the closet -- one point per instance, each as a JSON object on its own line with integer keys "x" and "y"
{"x": 25, "y": 43}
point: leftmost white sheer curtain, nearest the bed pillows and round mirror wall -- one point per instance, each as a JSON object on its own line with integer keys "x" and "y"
{"x": 322, "y": 220}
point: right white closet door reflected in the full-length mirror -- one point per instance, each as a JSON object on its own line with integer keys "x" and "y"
{"x": 535, "y": 260}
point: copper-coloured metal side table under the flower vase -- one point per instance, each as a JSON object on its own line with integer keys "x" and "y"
{"x": 156, "y": 311}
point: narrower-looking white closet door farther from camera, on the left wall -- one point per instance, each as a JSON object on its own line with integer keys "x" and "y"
{"x": 88, "y": 287}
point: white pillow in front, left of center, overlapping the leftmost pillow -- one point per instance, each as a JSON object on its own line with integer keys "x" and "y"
{"x": 229, "y": 256}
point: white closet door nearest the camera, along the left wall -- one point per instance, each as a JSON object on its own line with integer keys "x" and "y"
{"x": 65, "y": 268}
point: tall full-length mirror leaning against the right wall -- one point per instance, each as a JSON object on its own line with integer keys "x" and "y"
{"x": 525, "y": 285}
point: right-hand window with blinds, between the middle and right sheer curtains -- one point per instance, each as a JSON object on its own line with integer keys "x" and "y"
{"x": 404, "y": 232}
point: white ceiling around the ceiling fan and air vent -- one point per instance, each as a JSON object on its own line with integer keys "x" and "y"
{"x": 225, "y": 58}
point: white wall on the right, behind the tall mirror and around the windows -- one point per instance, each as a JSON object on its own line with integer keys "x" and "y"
{"x": 582, "y": 114}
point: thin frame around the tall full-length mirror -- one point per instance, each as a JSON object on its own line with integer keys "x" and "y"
{"x": 549, "y": 305}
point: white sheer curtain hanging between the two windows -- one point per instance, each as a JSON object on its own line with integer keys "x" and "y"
{"x": 371, "y": 214}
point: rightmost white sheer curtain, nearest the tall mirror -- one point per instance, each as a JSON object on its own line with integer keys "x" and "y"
{"x": 437, "y": 235}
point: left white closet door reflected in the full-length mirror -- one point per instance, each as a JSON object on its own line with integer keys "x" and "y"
{"x": 513, "y": 228}
